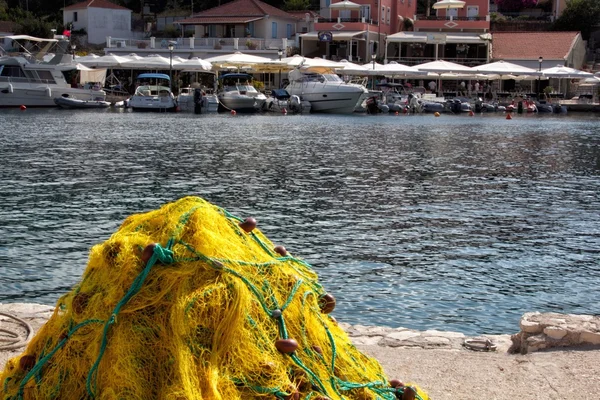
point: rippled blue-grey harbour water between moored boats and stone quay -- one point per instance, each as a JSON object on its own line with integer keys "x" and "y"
{"x": 451, "y": 223}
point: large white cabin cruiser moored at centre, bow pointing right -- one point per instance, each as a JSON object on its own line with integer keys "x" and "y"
{"x": 326, "y": 92}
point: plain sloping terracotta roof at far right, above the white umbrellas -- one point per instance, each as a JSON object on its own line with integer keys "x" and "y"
{"x": 532, "y": 45}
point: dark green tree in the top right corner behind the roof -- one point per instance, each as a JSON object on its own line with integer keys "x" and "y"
{"x": 579, "y": 15}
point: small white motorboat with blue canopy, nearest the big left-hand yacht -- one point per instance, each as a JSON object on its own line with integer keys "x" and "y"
{"x": 153, "y": 93}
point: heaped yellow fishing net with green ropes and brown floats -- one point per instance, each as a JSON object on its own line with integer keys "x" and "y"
{"x": 191, "y": 302}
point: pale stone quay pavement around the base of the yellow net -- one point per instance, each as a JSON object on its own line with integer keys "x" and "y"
{"x": 436, "y": 361}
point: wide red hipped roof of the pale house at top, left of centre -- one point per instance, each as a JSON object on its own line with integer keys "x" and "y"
{"x": 232, "y": 12}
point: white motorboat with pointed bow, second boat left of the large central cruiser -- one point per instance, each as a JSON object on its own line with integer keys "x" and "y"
{"x": 237, "y": 93}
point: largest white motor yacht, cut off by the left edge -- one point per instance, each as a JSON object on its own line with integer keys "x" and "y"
{"x": 27, "y": 80}
